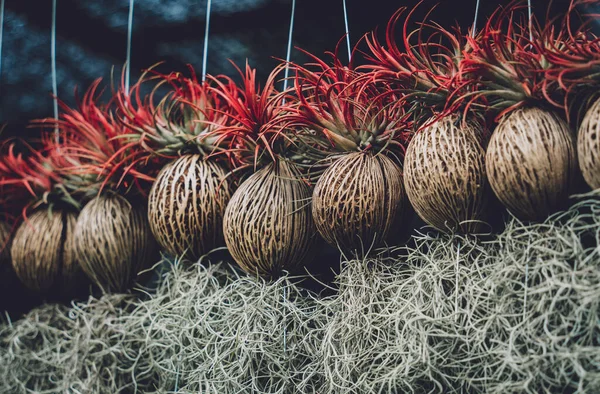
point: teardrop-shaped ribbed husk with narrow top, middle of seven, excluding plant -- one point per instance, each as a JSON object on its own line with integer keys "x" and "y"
{"x": 267, "y": 225}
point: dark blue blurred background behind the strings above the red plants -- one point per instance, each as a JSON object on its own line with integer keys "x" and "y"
{"x": 91, "y": 40}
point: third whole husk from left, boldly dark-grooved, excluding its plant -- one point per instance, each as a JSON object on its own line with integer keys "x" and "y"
{"x": 186, "y": 206}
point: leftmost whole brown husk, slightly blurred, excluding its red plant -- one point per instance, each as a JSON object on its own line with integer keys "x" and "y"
{"x": 43, "y": 256}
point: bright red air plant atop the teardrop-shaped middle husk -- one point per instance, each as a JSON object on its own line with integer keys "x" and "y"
{"x": 256, "y": 129}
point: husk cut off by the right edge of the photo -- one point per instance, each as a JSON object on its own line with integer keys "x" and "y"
{"x": 588, "y": 146}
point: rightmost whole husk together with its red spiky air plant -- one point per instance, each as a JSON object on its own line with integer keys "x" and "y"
{"x": 530, "y": 160}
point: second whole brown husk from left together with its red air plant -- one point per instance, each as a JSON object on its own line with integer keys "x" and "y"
{"x": 112, "y": 239}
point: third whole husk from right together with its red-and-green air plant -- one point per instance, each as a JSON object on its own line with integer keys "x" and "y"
{"x": 354, "y": 133}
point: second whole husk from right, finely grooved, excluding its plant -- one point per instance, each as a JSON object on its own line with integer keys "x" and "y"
{"x": 444, "y": 175}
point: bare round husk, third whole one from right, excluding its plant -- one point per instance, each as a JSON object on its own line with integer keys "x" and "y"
{"x": 358, "y": 201}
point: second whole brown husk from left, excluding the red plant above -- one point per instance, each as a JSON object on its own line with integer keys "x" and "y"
{"x": 113, "y": 241}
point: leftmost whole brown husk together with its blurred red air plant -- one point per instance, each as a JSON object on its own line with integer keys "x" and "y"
{"x": 41, "y": 251}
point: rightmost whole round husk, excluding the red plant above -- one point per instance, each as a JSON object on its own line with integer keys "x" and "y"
{"x": 531, "y": 162}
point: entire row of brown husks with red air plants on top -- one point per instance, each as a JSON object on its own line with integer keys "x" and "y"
{"x": 439, "y": 118}
